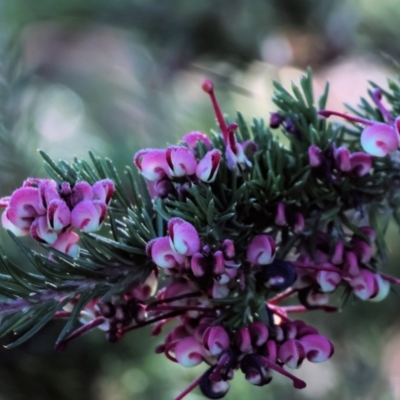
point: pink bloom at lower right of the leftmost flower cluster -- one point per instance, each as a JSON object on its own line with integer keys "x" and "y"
{"x": 88, "y": 215}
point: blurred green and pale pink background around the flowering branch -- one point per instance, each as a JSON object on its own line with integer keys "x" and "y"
{"x": 114, "y": 76}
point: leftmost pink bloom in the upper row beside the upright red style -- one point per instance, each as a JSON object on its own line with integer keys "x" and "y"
{"x": 151, "y": 163}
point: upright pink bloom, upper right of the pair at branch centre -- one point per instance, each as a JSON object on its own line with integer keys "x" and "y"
{"x": 184, "y": 238}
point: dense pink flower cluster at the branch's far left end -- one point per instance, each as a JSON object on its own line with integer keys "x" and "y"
{"x": 49, "y": 212}
